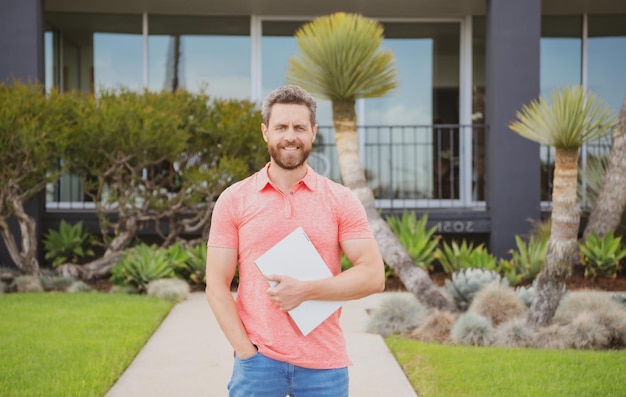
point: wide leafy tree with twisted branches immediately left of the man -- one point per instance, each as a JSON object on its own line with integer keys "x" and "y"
{"x": 160, "y": 159}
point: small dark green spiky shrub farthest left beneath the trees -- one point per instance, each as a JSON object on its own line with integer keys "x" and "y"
{"x": 69, "y": 244}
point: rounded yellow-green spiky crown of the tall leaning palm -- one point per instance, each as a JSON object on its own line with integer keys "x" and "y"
{"x": 341, "y": 58}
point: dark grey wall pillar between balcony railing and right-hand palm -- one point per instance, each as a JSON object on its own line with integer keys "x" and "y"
{"x": 512, "y": 73}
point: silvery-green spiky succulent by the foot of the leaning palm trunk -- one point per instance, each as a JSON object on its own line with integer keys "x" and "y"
{"x": 465, "y": 283}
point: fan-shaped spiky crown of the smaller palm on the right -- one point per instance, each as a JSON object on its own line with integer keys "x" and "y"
{"x": 570, "y": 117}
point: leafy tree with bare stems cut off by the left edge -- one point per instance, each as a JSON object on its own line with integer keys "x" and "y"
{"x": 33, "y": 139}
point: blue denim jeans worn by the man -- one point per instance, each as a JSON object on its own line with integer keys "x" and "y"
{"x": 260, "y": 376}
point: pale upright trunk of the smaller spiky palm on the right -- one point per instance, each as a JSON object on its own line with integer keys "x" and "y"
{"x": 562, "y": 247}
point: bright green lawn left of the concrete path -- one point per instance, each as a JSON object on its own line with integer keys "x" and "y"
{"x": 72, "y": 344}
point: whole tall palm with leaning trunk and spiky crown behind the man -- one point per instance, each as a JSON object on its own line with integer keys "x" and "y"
{"x": 341, "y": 60}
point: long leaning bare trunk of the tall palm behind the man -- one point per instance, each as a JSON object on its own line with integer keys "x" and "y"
{"x": 415, "y": 279}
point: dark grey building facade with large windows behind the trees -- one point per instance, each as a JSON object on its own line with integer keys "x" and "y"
{"x": 438, "y": 144}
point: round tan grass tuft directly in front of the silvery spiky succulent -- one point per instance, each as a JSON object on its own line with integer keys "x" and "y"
{"x": 498, "y": 303}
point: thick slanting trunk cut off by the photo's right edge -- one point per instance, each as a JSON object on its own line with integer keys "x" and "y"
{"x": 607, "y": 212}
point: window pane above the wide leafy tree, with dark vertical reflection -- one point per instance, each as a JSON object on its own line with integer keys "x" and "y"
{"x": 211, "y": 53}
